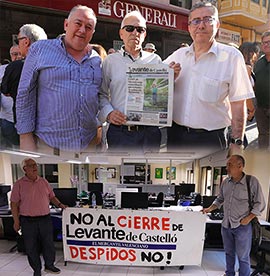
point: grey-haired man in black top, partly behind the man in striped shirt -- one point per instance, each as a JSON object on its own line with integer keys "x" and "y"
{"x": 28, "y": 34}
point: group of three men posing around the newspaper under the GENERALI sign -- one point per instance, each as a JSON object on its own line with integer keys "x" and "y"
{"x": 64, "y": 87}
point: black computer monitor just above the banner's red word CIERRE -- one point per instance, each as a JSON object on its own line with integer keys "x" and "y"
{"x": 134, "y": 200}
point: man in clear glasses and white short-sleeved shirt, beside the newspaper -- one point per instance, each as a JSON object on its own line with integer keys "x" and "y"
{"x": 211, "y": 90}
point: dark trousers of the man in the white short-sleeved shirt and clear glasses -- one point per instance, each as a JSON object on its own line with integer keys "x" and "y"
{"x": 181, "y": 137}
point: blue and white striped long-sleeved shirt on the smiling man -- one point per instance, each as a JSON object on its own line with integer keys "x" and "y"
{"x": 58, "y": 97}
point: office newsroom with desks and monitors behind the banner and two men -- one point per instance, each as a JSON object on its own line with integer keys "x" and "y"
{"x": 162, "y": 180}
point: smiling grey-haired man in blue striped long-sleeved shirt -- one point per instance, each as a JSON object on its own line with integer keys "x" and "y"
{"x": 57, "y": 100}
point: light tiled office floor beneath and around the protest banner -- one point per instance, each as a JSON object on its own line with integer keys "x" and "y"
{"x": 15, "y": 263}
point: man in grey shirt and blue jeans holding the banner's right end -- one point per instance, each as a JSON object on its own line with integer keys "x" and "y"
{"x": 236, "y": 228}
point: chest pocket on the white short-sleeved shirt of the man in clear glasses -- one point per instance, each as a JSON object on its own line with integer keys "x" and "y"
{"x": 210, "y": 90}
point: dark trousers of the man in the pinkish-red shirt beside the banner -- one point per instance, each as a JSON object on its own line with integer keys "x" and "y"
{"x": 38, "y": 239}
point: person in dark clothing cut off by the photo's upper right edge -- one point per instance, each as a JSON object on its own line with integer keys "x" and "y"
{"x": 262, "y": 91}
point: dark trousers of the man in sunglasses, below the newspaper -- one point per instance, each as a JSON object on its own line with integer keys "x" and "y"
{"x": 138, "y": 138}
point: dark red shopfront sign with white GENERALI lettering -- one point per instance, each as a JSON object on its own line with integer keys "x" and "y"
{"x": 115, "y": 9}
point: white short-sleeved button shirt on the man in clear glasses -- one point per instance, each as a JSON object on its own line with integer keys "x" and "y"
{"x": 205, "y": 87}
